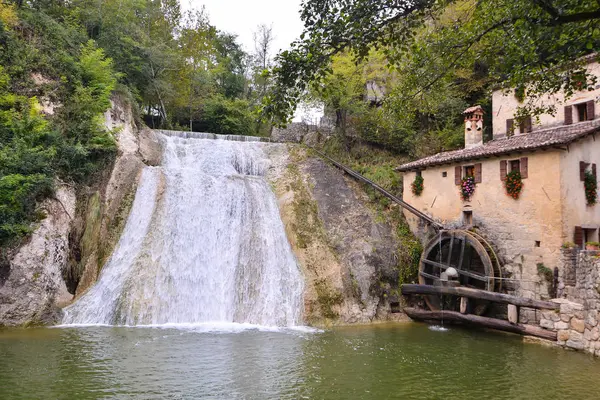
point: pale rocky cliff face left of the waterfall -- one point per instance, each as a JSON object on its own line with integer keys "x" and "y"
{"x": 64, "y": 254}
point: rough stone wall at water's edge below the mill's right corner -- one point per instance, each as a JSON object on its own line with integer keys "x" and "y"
{"x": 576, "y": 323}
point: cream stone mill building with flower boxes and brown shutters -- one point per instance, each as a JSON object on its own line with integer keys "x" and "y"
{"x": 553, "y": 154}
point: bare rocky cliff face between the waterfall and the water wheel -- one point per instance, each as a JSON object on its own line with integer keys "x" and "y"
{"x": 348, "y": 257}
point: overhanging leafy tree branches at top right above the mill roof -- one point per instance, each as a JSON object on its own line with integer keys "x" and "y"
{"x": 522, "y": 43}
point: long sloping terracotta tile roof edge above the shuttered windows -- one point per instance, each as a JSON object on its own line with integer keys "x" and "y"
{"x": 541, "y": 139}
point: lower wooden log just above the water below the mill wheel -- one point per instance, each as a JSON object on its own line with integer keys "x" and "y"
{"x": 484, "y": 322}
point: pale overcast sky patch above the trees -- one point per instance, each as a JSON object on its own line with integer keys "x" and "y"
{"x": 243, "y": 16}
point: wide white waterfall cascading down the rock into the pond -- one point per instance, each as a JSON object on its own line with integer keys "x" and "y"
{"x": 203, "y": 243}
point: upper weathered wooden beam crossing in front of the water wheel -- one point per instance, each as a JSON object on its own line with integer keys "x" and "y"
{"x": 479, "y": 294}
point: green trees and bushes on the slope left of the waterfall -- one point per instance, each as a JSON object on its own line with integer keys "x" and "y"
{"x": 60, "y": 65}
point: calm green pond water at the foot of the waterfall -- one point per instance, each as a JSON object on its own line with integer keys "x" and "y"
{"x": 399, "y": 361}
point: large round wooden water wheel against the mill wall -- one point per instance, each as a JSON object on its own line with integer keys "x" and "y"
{"x": 473, "y": 258}
